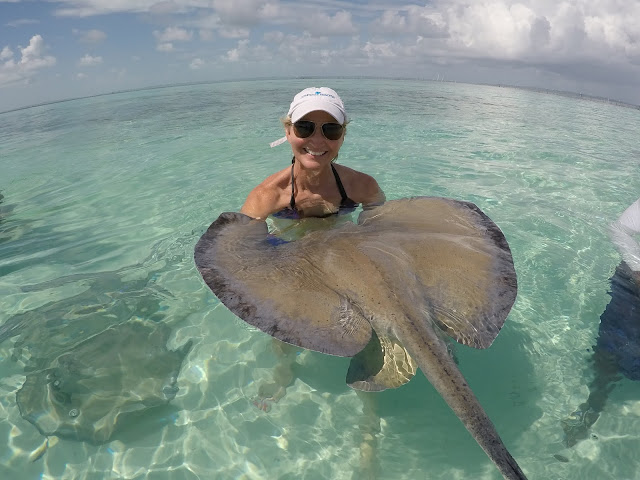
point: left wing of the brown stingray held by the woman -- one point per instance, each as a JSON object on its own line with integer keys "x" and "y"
{"x": 279, "y": 289}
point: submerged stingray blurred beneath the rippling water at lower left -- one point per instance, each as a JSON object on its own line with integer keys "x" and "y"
{"x": 96, "y": 387}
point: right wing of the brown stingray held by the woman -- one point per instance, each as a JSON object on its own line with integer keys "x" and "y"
{"x": 460, "y": 258}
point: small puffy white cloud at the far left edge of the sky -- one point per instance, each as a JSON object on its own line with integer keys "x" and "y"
{"x": 32, "y": 59}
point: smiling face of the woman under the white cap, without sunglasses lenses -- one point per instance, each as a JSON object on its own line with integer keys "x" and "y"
{"x": 314, "y": 151}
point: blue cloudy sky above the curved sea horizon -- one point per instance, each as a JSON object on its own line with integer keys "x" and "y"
{"x": 58, "y": 49}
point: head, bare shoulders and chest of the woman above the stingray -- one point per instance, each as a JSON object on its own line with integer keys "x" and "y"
{"x": 313, "y": 186}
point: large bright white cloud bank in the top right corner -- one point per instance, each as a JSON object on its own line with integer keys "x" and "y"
{"x": 544, "y": 30}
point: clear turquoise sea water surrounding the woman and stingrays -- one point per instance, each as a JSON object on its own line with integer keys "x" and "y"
{"x": 105, "y": 197}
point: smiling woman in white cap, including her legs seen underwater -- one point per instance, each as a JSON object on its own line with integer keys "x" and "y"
{"x": 313, "y": 186}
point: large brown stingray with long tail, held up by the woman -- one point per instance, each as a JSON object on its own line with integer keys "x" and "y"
{"x": 387, "y": 291}
